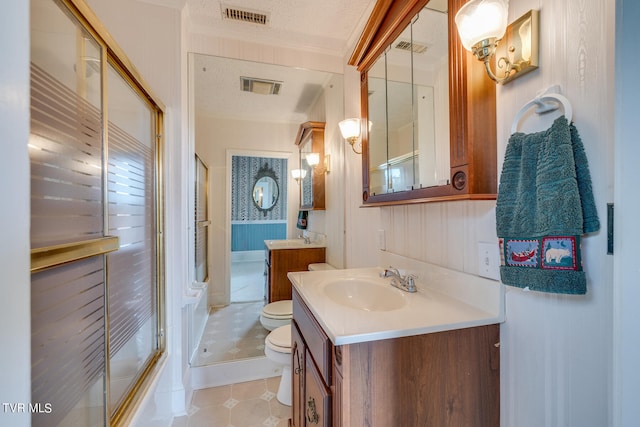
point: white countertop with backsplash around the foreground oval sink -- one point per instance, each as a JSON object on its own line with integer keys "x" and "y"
{"x": 435, "y": 307}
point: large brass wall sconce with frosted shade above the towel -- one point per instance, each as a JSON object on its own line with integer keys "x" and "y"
{"x": 482, "y": 26}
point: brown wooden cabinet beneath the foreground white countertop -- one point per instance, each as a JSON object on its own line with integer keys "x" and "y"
{"x": 444, "y": 379}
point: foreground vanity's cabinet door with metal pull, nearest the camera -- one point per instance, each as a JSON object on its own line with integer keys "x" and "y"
{"x": 317, "y": 397}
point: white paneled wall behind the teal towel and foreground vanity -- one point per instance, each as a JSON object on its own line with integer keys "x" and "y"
{"x": 556, "y": 350}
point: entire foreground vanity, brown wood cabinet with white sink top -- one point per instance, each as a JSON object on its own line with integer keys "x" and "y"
{"x": 364, "y": 353}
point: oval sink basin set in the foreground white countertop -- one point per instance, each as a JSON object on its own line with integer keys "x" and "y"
{"x": 365, "y": 294}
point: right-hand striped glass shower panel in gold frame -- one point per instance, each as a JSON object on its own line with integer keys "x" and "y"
{"x": 132, "y": 291}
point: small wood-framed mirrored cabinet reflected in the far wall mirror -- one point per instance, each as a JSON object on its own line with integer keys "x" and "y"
{"x": 310, "y": 139}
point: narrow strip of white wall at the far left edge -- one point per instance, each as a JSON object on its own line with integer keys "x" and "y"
{"x": 15, "y": 282}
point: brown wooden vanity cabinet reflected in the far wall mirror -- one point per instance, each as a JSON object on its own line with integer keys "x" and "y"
{"x": 281, "y": 261}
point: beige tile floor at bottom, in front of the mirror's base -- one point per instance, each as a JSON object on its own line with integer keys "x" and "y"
{"x": 249, "y": 404}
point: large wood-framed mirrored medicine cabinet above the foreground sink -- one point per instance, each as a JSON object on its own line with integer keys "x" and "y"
{"x": 471, "y": 97}
